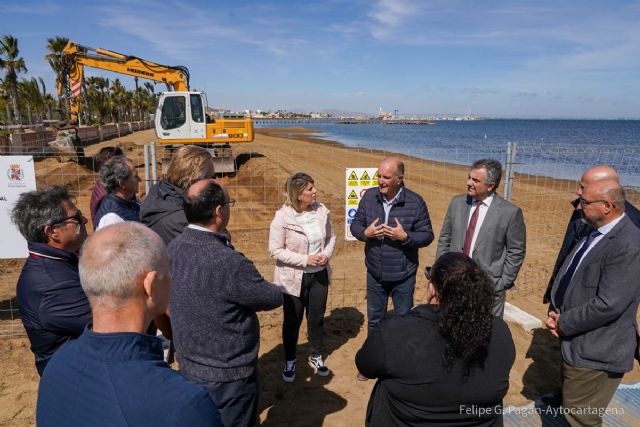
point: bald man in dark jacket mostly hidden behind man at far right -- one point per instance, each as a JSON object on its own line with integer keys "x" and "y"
{"x": 577, "y": 227}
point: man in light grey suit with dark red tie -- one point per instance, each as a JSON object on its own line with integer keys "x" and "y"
{"x": 487, "y": 228}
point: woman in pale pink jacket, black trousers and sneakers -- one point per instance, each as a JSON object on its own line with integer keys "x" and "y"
{"x": 301, "y": 239}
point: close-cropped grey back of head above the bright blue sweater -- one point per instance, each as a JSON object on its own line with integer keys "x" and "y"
{"x": 116, "y": 258}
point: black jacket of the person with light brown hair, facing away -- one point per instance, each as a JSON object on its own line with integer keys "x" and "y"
{"x": 163, "y": 212}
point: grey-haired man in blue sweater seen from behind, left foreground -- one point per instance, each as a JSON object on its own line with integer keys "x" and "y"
{"x": 113, "y": 374}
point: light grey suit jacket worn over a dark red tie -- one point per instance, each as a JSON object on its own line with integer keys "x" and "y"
{"x": 501, "y": 243}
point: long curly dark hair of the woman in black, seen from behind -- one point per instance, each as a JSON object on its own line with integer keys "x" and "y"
{"x": 465, "y": 295}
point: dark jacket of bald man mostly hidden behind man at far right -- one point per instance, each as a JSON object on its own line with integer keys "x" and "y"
{"x": 576, "y": 230}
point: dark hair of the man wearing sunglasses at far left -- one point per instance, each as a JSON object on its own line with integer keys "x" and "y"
{"x": 37, "y": 209}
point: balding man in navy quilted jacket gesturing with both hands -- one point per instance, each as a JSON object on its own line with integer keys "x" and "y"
{"x": 394, "y": 223}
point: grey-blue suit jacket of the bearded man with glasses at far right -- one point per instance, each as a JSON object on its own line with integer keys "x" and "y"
{"x": 598, "y": 314}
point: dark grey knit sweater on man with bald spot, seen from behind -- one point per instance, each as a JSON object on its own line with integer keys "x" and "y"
{"x": 215, "y": 294}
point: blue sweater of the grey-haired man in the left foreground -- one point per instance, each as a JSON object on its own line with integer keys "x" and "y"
{"x": 119, "y": 379}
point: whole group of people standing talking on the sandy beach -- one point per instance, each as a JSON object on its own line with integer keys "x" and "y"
{"x": 87, "y": 303}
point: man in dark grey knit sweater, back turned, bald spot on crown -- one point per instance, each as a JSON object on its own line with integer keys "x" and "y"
{"x": 216, "y": 293}
